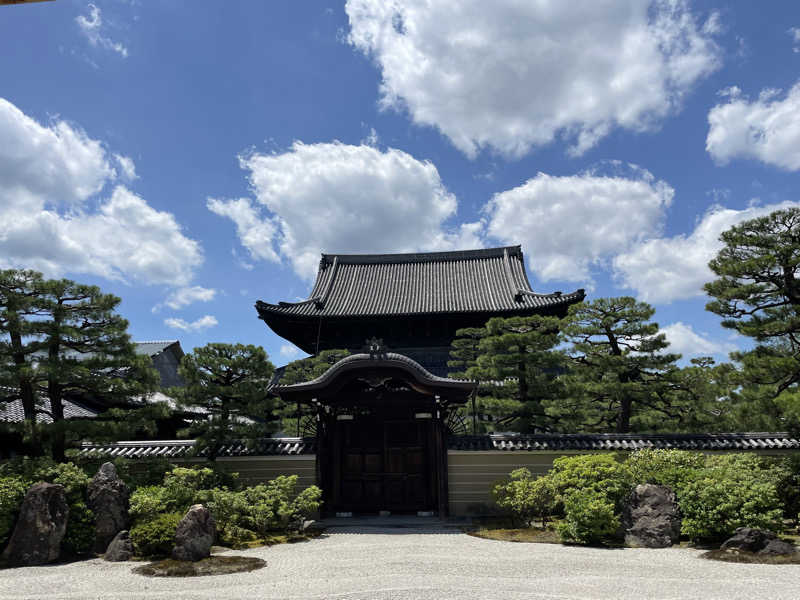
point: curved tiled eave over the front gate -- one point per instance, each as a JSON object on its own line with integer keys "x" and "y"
{"x": 356, "y": 362}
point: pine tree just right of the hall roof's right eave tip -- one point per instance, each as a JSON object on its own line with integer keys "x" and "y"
{"x": 618, "y": 369}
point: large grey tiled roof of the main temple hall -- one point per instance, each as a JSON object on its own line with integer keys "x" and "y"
{"x": 489, "y": 280}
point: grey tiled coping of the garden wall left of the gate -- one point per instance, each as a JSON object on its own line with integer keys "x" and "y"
{"x": 183, "y": 448}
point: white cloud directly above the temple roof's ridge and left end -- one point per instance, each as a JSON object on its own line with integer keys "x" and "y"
{"x": 333, "y": 197}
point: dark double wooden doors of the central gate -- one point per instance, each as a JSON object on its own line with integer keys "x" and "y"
{"x": 384, "y": 465}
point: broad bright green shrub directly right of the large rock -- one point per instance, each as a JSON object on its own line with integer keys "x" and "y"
{"x": 734, "y": 490}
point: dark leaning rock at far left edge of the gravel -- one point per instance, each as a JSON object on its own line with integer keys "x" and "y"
{"x": 40, "y": 527}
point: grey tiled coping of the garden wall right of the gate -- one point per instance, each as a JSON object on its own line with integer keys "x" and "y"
{"x": 625, "y": 441}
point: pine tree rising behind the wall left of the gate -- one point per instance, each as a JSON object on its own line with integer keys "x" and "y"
{"x": 229, "y": 383}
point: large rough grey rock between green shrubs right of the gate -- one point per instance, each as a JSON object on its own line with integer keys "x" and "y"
{"x": 650, "y": 517}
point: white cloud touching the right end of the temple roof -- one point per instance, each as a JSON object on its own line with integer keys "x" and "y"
{"x": 569, "y": 224}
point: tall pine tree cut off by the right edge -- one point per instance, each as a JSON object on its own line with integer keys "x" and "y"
{"x": 757, "y": 293}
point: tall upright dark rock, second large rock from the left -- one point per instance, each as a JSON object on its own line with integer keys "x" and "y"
{"x": 109, "y": 499}
